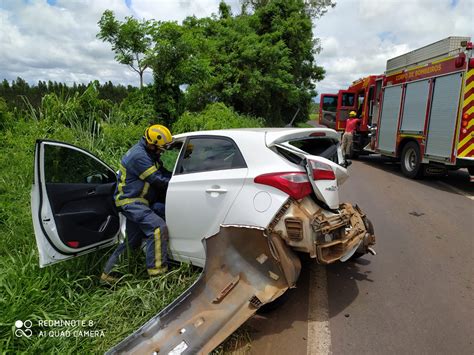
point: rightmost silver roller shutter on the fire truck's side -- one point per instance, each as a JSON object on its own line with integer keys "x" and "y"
{"x": 443, "y": 116}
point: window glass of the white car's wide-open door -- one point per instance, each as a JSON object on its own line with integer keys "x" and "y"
{"x": 66, "y": 165}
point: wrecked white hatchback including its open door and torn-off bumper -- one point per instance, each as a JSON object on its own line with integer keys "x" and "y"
{"x": 240, "y": 203}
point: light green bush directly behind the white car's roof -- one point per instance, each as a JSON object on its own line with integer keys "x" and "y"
{"x": 214, "y": 116}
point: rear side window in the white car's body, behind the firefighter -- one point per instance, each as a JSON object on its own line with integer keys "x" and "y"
{"x": 210, "y": 153}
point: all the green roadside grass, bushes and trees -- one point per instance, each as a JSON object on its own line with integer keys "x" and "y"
{"x": 253, "y": 69}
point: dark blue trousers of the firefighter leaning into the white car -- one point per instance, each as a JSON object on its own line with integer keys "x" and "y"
{"x": 144, "y": 222}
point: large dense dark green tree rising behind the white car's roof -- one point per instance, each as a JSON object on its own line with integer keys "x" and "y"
{"x": 260, "y": 63}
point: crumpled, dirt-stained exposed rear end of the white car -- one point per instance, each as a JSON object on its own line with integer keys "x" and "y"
{"x": 327, "y": 236}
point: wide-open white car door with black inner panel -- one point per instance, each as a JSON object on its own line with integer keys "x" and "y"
{"x": 71, "y": 202}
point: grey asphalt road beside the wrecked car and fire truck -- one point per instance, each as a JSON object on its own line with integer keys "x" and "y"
{"x": 414, "y": 297}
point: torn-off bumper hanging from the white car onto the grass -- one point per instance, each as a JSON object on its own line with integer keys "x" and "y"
{"x": 245, "y": 268}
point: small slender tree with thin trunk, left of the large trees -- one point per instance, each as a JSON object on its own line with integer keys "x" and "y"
{"x": 130, "y": 40}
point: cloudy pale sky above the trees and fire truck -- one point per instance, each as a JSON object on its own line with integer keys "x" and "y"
{"x": 56, "y": 39}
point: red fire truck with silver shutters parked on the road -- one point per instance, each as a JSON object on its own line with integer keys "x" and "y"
{"x": 421, "y": 111}
